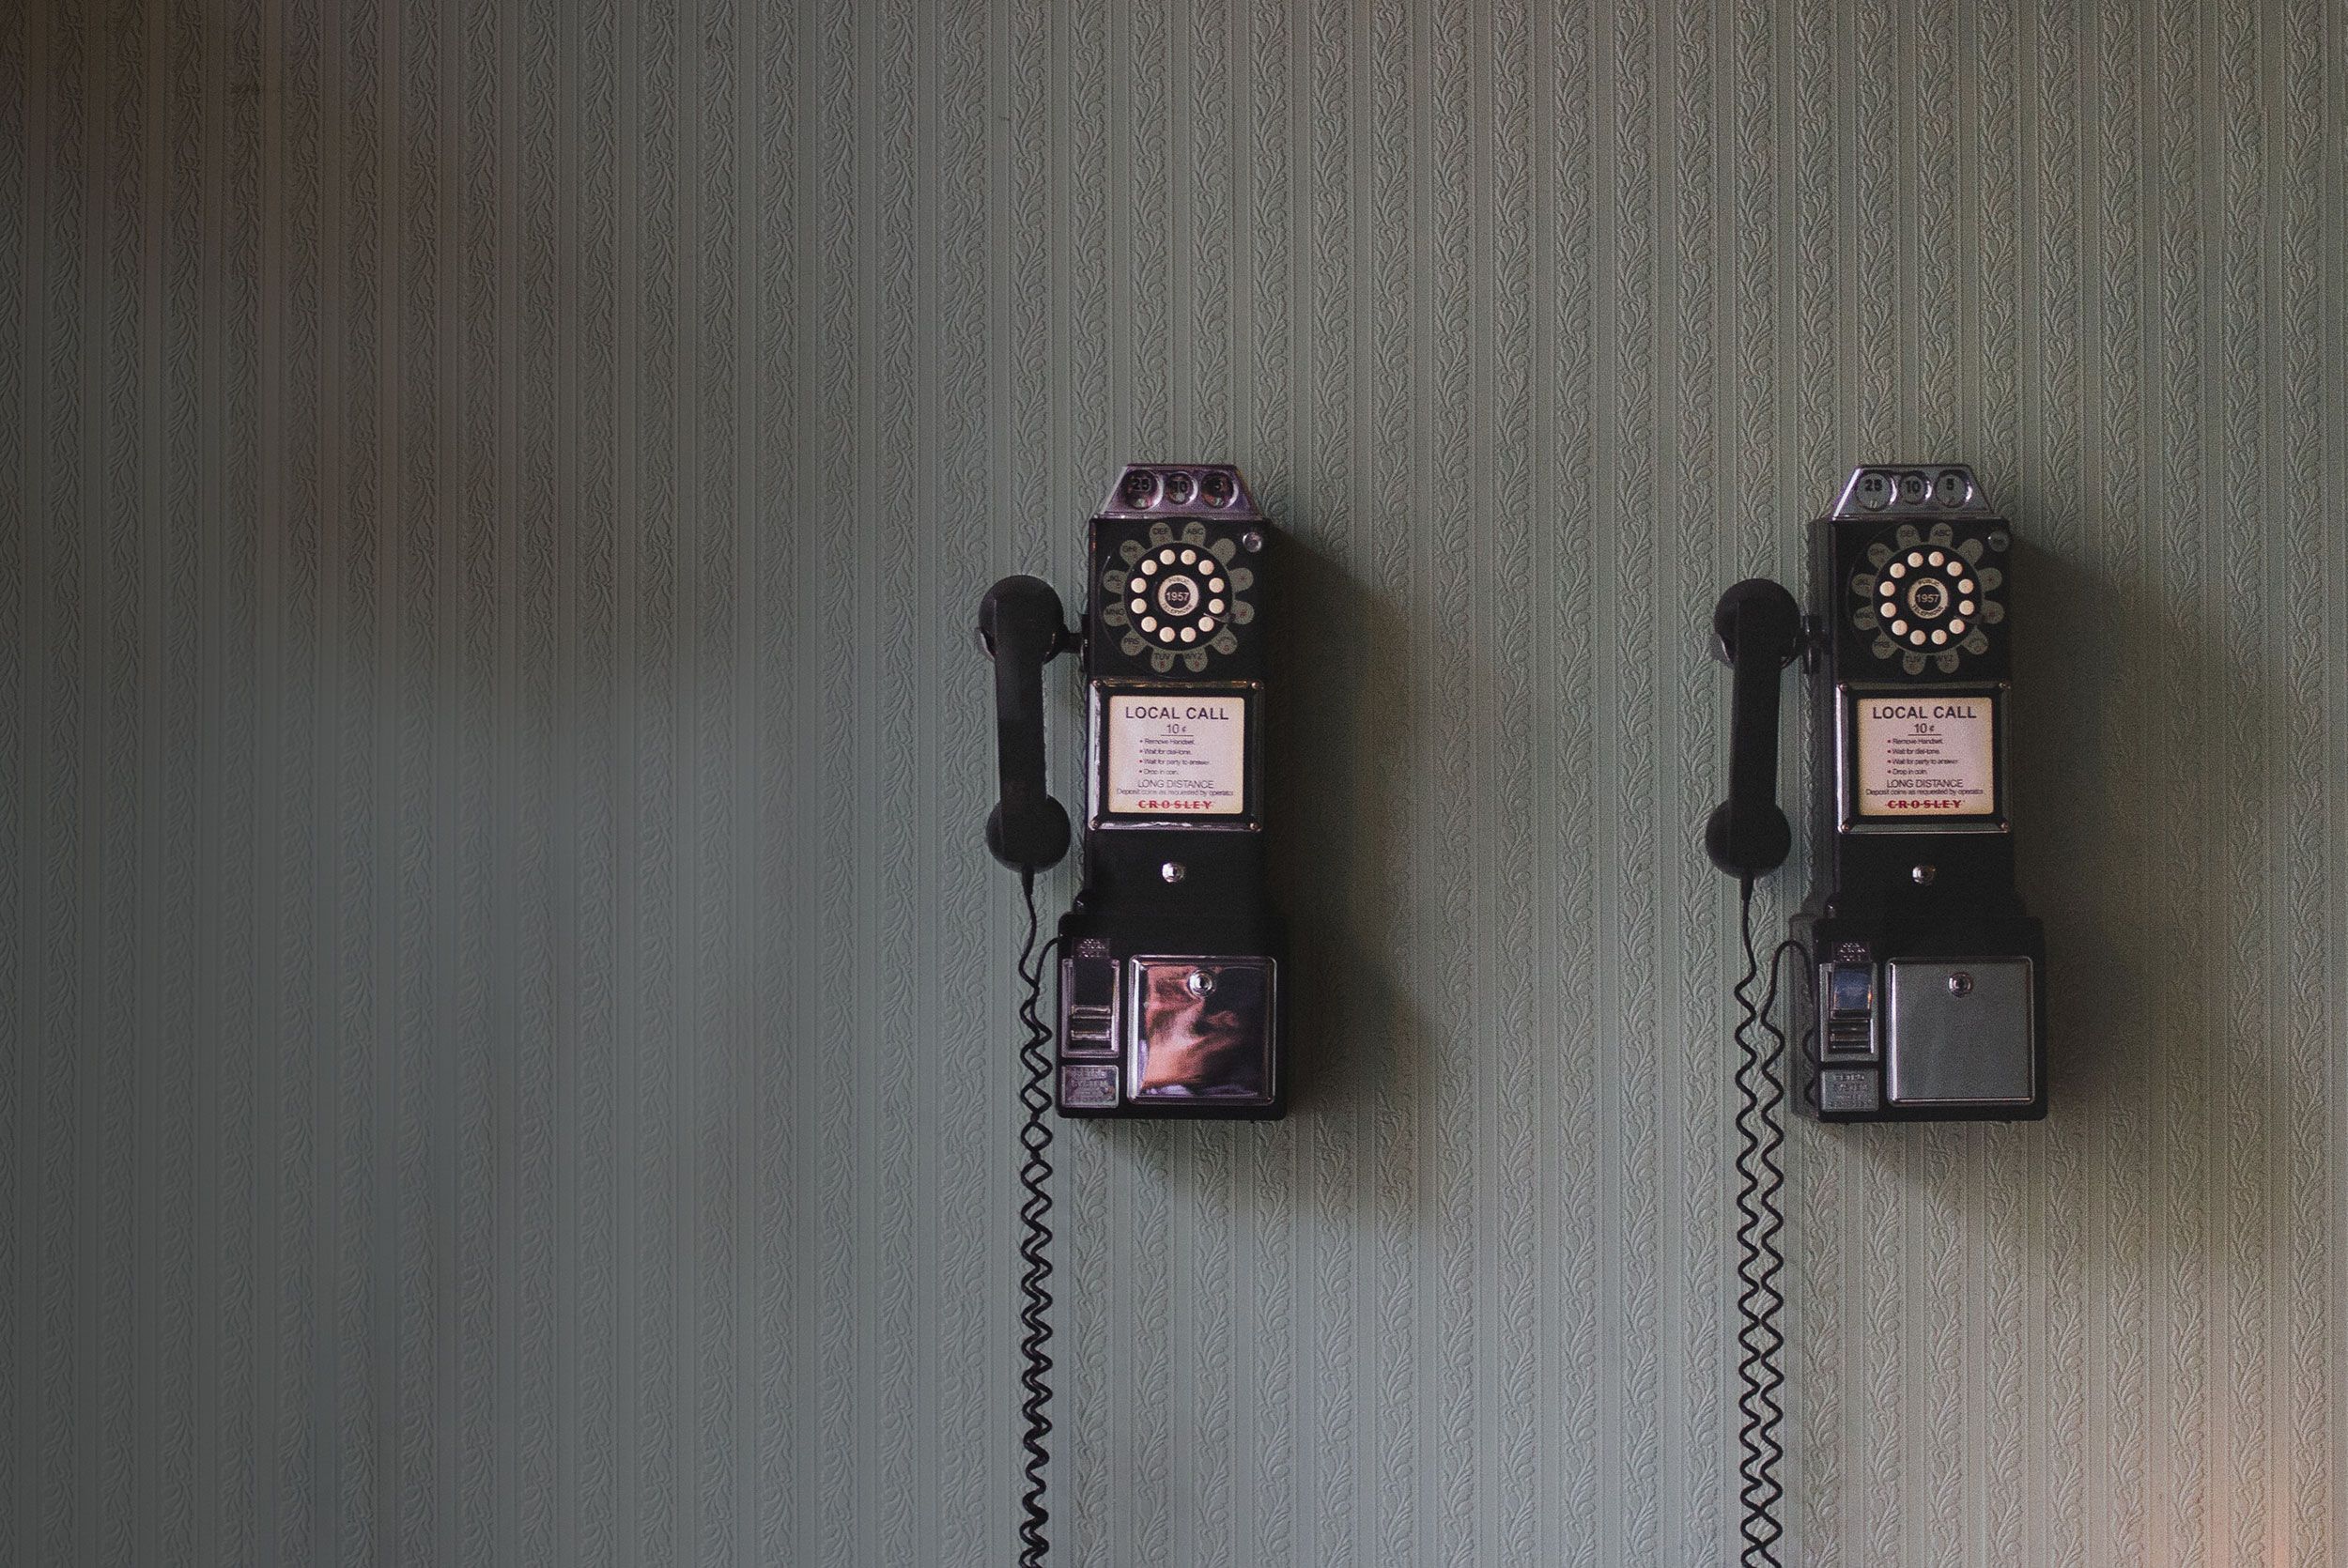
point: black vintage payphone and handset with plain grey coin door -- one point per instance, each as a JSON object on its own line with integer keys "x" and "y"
{"x": 1927, "y": 980}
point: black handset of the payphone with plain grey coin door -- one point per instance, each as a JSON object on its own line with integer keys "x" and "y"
{"x": 1757, "y": 630}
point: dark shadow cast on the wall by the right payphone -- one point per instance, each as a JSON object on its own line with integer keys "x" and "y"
{"x": 2117, "y": 701}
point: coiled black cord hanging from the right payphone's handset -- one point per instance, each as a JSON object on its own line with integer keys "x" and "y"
{"x": 1760, "y": 1222}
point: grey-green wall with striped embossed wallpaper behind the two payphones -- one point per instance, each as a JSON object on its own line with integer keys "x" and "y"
{"x": 508, "y": 1025}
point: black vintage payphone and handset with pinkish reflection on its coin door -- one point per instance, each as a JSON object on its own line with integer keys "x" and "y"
{"x": 1170, "y": 959}
